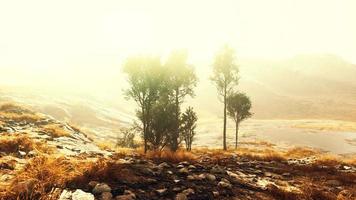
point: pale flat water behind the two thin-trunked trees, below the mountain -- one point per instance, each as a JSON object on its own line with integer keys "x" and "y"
{"x": 283, "y": 133}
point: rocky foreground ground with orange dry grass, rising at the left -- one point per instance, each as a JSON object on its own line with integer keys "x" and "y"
{"x": 26, "y": 172}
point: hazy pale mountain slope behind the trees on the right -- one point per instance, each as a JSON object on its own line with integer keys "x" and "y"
{"x": 306, "y": 86}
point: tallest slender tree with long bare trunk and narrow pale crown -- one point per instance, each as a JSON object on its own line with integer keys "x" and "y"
{"x": 225, "y": 77}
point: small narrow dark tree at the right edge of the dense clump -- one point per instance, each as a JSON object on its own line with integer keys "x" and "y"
{"x": 188, "y": 125}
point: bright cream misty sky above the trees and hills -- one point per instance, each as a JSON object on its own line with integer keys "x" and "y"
{"x": 69, "y": 41}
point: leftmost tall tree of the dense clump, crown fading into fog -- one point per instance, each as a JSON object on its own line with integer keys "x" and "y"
{"x": 145, "y": 78}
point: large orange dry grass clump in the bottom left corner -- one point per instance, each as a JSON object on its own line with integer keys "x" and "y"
{"x": 39, "y": 176}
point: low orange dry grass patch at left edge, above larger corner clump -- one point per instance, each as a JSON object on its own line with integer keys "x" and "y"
{"x": 20, "y": 142}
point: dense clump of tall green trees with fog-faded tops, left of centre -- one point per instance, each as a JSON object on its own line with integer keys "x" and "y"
{"x": 159, "y": 91}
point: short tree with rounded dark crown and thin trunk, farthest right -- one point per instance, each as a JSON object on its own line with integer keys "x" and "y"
{"x": 238, "y": 107}
